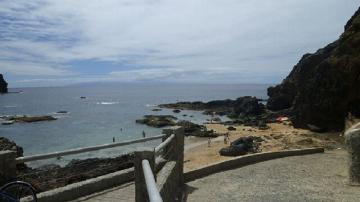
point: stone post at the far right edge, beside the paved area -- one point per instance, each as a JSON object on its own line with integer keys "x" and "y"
{"x": 352, "y": 141}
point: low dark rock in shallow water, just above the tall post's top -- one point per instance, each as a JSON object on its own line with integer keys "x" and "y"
{"x": 158, "y": 121}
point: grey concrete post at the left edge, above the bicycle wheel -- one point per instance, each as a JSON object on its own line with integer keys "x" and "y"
{"x": 7, "y": 166}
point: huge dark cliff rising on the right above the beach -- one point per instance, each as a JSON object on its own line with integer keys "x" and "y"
{"x": 325, "y": 86}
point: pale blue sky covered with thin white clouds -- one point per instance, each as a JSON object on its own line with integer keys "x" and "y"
{"x": 62, "y": 42}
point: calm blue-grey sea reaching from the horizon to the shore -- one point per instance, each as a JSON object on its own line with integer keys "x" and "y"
{"x": 109, "y": 110}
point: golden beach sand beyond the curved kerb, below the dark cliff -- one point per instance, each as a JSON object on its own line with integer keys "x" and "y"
{"x": 280, "y": 136}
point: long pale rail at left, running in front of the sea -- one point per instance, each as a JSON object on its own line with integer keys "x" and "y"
{"x": 83, "y": 150}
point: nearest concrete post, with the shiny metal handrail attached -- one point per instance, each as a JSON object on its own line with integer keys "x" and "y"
{"x": 140, "y": 186}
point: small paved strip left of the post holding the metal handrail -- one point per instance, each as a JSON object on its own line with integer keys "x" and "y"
{"x": 124, "y": 193}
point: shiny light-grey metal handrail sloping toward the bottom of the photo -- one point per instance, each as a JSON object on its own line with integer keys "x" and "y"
{"x": 153, "y": 192}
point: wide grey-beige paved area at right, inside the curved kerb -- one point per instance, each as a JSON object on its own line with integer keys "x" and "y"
{"x": 318, "y": 177}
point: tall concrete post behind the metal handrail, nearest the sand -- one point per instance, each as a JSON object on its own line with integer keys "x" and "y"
{"x": 179, "y": 154}
